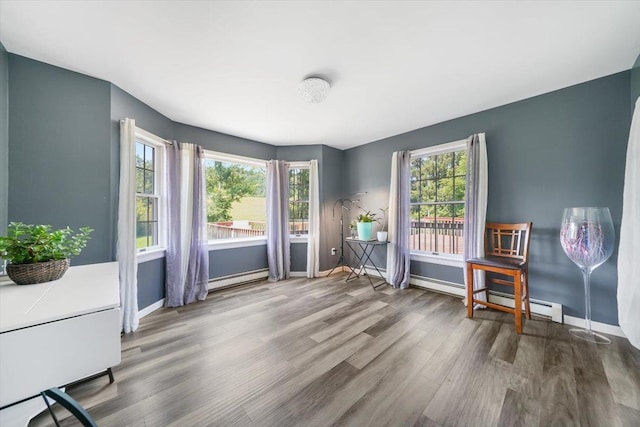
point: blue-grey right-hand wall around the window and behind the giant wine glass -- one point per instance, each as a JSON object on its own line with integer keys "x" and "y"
{"x": 561, "y": 149}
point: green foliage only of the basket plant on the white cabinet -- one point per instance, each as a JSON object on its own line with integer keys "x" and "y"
{"x": 28, "y": 244}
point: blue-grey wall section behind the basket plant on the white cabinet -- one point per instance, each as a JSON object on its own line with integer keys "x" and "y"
{"x": 59, "y": 145}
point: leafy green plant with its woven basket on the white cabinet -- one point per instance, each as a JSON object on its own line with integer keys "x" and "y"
{"x": 37, "y": 253}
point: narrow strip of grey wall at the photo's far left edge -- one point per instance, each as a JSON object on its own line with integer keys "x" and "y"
{"x": 4, "y": 138}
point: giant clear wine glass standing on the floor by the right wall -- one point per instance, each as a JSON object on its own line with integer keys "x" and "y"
{"x": 587, "y": 237}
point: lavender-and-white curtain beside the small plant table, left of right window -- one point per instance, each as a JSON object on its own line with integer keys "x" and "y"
{"x": 398, "y": 257}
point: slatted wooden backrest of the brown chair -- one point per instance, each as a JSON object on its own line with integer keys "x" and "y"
{"x": 508, "y": 240}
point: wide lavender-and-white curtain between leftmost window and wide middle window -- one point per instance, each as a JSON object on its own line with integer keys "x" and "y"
{"x": 187, "y": 259}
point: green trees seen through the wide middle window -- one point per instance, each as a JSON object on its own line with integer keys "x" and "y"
{"x": 227, "y": 183}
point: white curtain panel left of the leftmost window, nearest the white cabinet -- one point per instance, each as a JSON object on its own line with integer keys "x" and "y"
{"x": 126, "y": 245}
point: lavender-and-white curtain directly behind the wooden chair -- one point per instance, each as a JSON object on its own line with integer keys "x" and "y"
{"x": 475, "y": 199}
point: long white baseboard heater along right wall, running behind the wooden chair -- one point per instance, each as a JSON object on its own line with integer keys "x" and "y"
{"x": 550, "y": 310}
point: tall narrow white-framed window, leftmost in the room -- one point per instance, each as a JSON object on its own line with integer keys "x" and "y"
{"x": 149, "y": 187}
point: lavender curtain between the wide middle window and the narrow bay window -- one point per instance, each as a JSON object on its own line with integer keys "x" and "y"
{"x": 278, "y": 220}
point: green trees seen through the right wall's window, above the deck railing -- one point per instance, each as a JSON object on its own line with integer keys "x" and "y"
{"x": 438, "y": 185}
